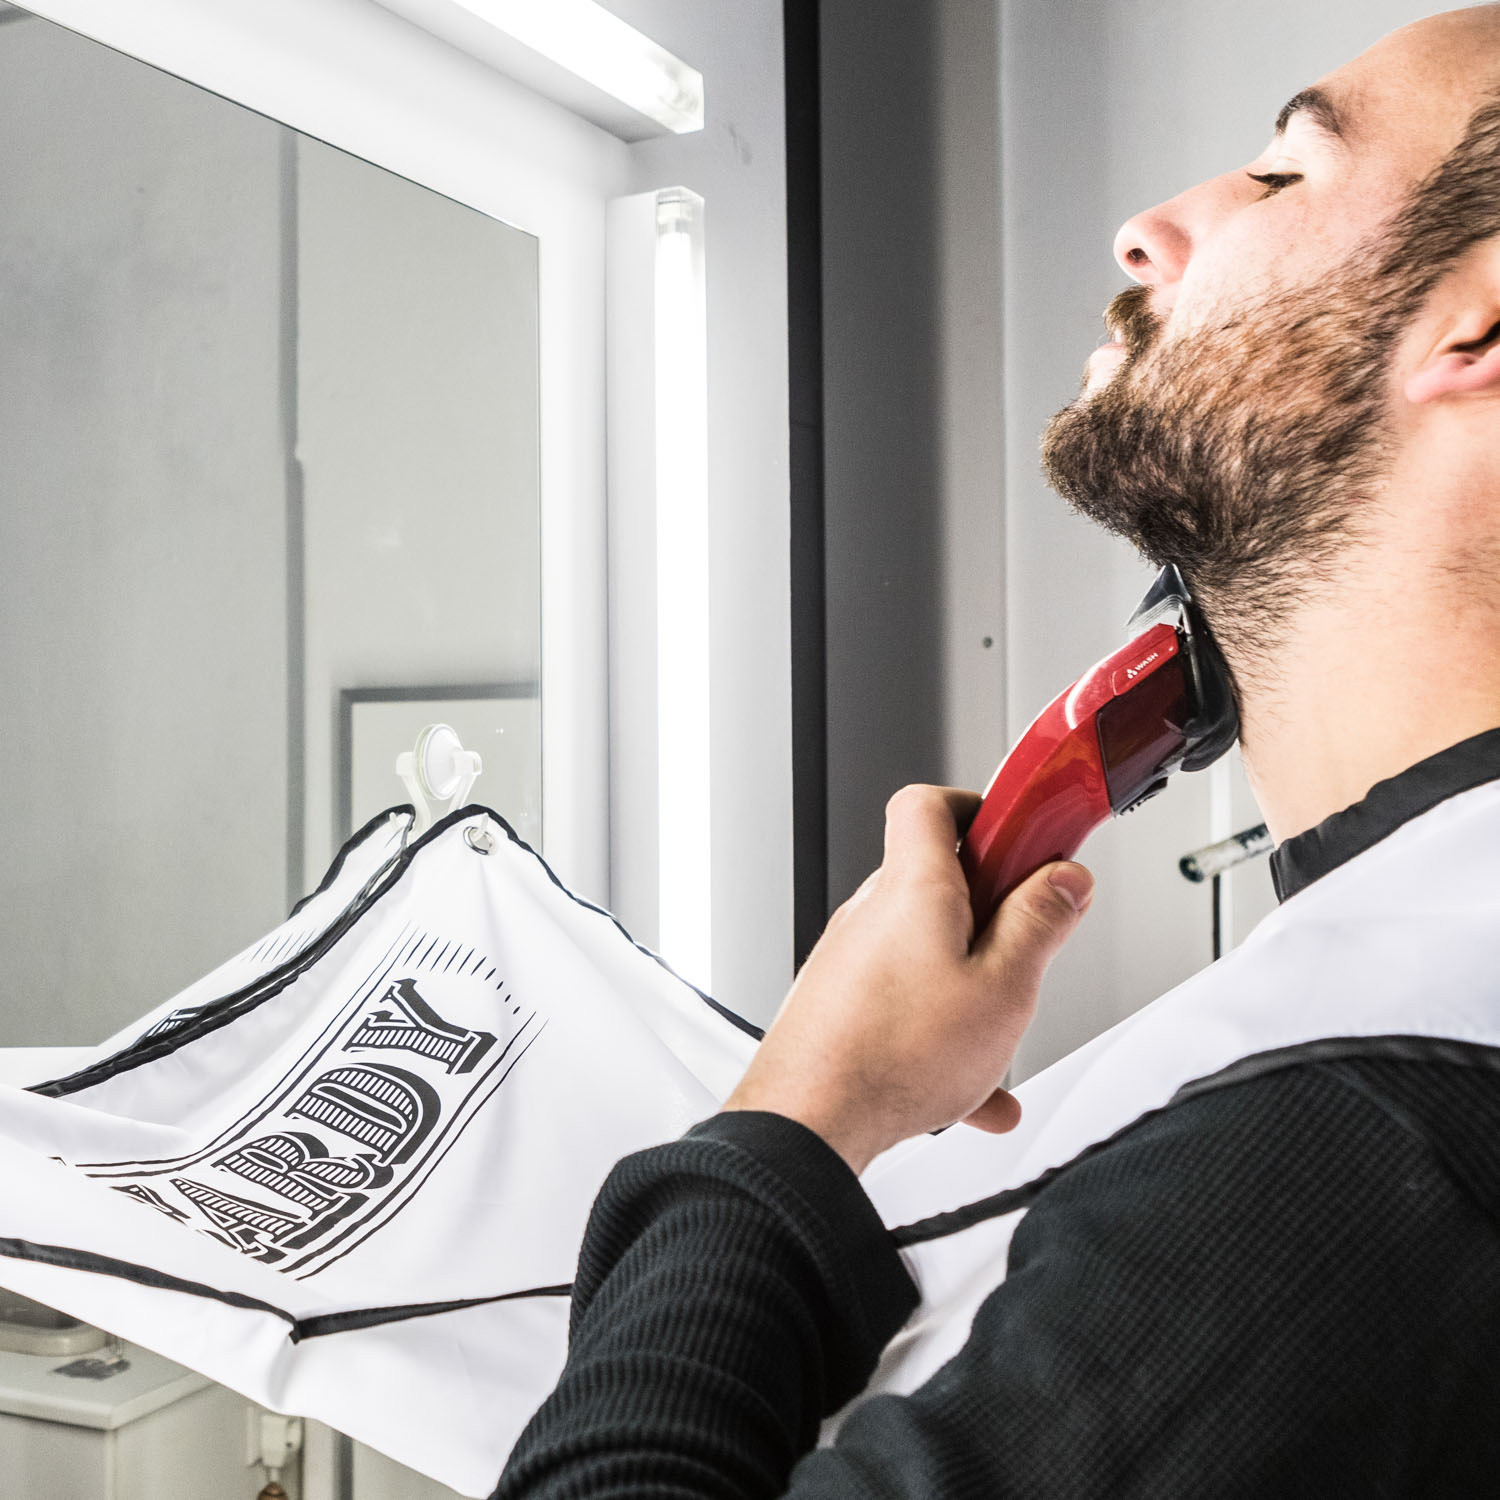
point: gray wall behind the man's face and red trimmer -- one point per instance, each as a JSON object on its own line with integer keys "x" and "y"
{"x": 955, "y": 232}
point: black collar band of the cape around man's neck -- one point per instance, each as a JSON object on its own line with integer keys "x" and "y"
{"x": 1388, "y": 805}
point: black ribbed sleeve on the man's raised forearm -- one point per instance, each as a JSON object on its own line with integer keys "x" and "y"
{"x": 722, "y": 1310}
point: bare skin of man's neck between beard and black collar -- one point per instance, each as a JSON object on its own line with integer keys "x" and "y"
{"x": 1367, "y": 688}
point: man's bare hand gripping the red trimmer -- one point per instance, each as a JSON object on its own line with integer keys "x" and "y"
{"x": 902, "y": 1021}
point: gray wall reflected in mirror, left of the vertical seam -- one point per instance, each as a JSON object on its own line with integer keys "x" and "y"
{"x": 145, "y": 754}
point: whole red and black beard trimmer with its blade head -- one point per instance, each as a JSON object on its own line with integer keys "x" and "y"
{"x": 1162, "y": 704}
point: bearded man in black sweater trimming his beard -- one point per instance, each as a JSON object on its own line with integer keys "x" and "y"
{"x": 1270, "y": 1265}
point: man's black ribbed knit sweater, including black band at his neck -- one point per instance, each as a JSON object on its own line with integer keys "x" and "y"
{"x": 1288, "y": 1286}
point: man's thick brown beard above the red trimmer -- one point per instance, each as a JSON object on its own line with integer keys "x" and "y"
{"x": 1246, "y": 452}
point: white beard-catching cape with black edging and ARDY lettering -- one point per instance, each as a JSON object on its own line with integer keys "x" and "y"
{"x": 349, "y": 1172}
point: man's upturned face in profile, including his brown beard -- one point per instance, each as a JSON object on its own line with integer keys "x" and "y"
{"x": 1238, "y": 422}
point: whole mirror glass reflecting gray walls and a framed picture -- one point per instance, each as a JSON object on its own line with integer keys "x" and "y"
{"x": 268, "y": 440}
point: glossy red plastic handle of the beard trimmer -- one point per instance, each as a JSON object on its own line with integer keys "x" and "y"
{"x": 1054, "y": 790}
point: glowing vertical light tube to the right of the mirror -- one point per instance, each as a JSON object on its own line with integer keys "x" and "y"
{"x": 682, "y": 526}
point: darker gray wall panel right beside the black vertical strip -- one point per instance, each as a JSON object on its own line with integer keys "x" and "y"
{"x": 914, "y": 442}
